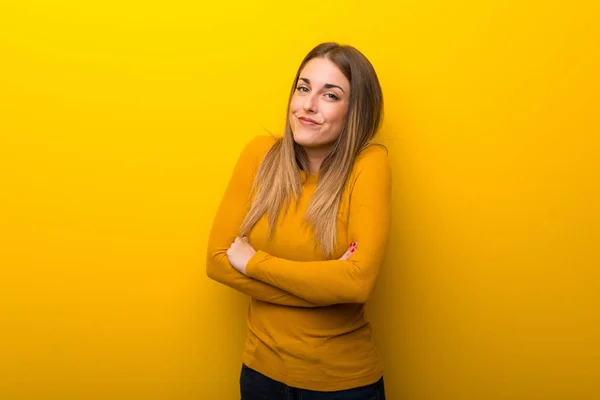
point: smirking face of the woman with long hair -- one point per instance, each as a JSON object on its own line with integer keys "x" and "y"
{"x": 319, "y": 105}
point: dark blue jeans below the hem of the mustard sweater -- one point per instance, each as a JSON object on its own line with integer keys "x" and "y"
{"x": 256, "y": 386}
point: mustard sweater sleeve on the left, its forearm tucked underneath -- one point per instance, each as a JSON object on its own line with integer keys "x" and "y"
{"x": 230, "y": 214}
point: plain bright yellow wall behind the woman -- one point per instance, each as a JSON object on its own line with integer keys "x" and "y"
{"x": 120, "y": 123}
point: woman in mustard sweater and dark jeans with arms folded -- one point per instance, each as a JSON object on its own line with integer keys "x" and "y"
{"x": 303, "y": 228}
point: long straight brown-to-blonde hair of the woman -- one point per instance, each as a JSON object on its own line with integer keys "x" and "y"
{"x": 278, "y": 178}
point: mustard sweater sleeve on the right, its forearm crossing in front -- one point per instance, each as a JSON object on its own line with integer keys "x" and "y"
{"x": 342, "y": 281}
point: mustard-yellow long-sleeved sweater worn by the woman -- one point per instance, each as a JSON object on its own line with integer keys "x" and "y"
{"x": 306, "y": 321}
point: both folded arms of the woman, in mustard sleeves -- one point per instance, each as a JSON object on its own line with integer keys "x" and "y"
{"x": 349, "y": 279}
